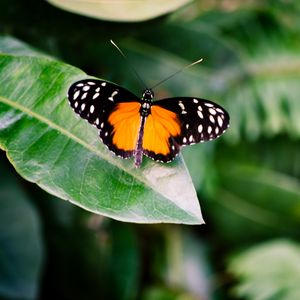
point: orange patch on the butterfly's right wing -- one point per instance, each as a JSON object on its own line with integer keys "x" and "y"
{"x": 160, "y": 125}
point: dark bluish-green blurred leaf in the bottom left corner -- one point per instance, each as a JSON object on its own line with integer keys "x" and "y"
{"x": 21, "y": 251}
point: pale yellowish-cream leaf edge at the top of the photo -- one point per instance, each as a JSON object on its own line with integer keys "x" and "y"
{"x": 122, "y": 11}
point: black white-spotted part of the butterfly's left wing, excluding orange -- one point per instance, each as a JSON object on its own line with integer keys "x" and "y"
{"x": 94, "y": 100}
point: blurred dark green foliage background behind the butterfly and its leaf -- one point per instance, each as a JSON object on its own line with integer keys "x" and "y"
{"x": 247, "y": 181}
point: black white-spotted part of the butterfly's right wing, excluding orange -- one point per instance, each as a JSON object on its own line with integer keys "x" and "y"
{"x": 200, "y": 120}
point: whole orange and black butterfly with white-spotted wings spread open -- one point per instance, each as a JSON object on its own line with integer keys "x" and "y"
{"x": 132, "y": 127}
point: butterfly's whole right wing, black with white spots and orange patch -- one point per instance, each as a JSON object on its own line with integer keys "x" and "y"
{"x": 180, "y": 122}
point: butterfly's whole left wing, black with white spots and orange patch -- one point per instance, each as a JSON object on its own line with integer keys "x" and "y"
{"x": 112, "y": 109}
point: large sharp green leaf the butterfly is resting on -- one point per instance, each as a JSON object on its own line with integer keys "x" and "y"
{"x": 48, "y": 145}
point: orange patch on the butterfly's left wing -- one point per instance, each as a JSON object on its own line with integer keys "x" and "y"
{"x": 125, "y": 120}
